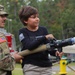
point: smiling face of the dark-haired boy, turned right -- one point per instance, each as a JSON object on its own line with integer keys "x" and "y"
{"x": 33, "y": 21}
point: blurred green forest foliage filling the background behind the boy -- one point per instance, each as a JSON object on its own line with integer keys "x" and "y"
{"x": 57, "y": 15}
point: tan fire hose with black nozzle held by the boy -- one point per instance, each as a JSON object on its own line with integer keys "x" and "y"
{"x": 53, "y": 44}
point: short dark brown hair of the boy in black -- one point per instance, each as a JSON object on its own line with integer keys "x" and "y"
{"x": 25, "y": 12}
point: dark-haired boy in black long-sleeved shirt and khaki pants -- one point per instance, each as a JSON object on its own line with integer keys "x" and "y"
{"x": 32, "y": 36}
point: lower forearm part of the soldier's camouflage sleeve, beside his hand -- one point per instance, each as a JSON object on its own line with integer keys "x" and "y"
{"x": 7, "y": 63}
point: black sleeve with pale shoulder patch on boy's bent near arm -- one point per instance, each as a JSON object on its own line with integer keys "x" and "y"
{"x": 27, "y": 43}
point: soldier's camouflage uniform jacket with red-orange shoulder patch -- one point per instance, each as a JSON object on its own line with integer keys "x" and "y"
{"x": 7, "y": 62}
